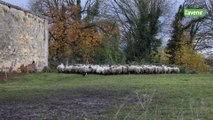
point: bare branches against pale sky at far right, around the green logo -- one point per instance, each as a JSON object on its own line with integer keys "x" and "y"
{"x": 201, "y": 29}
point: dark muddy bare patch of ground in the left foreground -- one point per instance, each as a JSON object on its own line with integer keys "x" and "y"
{"x": 78, "y": 104}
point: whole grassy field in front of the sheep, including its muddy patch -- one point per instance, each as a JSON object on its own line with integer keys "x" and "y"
{"x": 71, "y": 96}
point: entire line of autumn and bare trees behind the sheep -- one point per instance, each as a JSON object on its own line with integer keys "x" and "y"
{"x": 126, "y": 31}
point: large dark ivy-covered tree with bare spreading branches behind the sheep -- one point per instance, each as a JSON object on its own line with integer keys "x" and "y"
{"x": 140, "y": 24}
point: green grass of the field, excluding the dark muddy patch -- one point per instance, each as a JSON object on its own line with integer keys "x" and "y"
{"x": 176, "y": 96}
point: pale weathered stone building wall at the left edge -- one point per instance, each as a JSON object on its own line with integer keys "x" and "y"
{"x": 23, "y": 38}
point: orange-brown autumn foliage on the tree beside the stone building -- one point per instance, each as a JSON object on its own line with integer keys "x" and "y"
{"x": 71, "y": 35}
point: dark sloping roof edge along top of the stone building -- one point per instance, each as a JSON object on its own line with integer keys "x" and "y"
{"x": 21, "y": 9}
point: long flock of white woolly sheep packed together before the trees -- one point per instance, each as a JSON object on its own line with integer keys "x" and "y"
{"x": 117, "y": 69}
